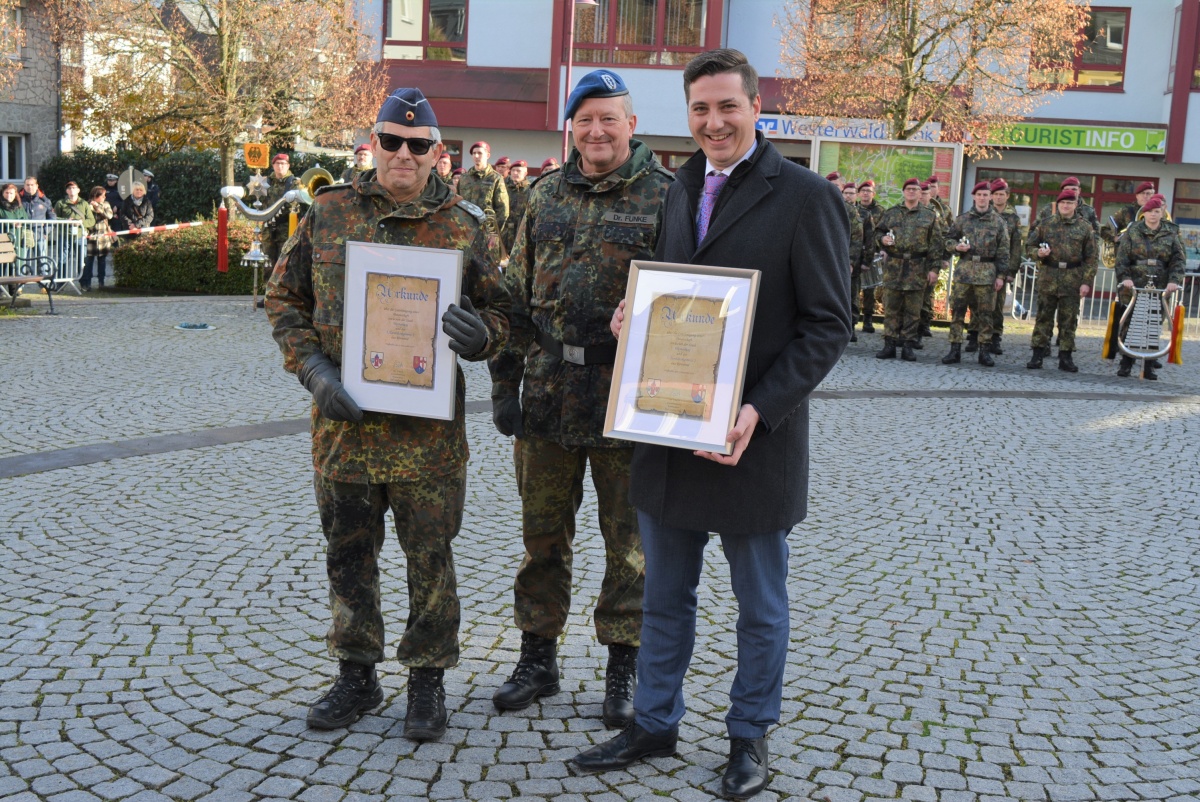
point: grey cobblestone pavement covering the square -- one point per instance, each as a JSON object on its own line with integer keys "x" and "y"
{"x": 997, "y": 595}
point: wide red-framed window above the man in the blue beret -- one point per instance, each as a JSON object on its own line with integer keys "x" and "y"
{"x": 665, "y": 33}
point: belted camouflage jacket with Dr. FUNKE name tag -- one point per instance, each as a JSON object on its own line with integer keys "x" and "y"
{"x": 567, "y": 273}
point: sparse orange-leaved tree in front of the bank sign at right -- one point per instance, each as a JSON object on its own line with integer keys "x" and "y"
{"x": 971, "y": 65}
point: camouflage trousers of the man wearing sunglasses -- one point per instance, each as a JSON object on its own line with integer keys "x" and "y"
{"x": 428, "y": 516}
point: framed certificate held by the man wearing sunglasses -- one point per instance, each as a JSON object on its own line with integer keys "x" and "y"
{"x": 395, "y": 357}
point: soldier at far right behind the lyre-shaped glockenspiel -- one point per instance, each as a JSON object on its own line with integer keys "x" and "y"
{"x": 1149, "y": 253}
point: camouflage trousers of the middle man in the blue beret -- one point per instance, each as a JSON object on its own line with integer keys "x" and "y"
{"x": 550, "y": 481}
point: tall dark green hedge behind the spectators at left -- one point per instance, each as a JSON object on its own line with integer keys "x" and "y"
{"x": 190, "y": 181}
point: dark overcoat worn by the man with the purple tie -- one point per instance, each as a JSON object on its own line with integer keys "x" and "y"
{"x": 790, "y": 224}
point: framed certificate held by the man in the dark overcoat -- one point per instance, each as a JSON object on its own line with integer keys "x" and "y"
{"x": 681, "y": 360}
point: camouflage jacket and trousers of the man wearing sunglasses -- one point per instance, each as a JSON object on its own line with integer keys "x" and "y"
{"x": 417, "y": 466}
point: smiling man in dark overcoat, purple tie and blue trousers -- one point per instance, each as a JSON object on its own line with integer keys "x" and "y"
{"x": 737, "y": 204}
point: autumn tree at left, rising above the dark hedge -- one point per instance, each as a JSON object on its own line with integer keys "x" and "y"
{"x": 202, "y": 71}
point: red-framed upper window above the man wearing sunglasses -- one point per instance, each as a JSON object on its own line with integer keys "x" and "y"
{"x": 433, "y": 31}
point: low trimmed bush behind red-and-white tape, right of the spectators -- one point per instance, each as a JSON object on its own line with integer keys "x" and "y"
{"x": 185, "y": 261}
